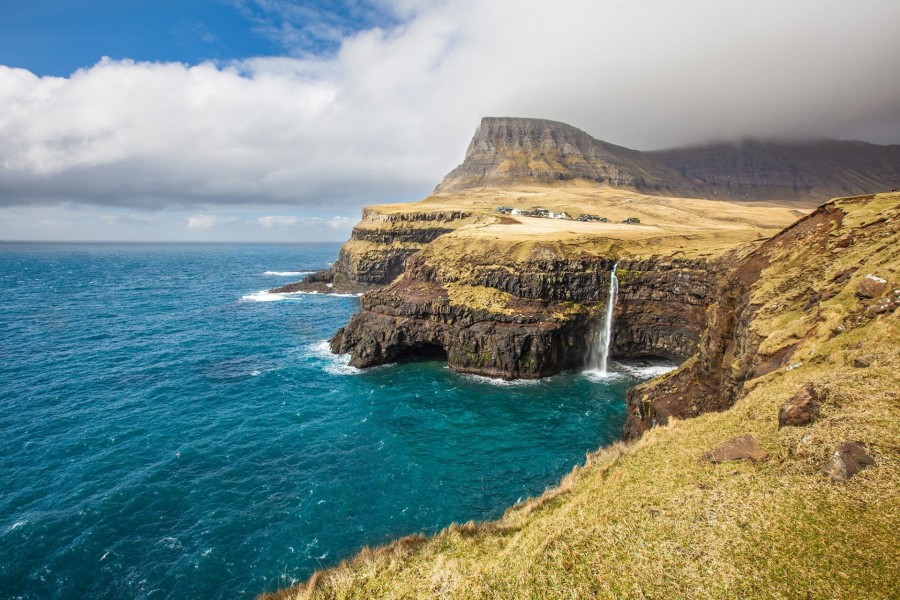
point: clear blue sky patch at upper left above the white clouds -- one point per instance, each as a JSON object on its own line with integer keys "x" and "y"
{"x": 57, "y": 37}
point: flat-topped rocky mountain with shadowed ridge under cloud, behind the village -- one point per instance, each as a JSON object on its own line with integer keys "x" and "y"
{"x": 507, "y": 151}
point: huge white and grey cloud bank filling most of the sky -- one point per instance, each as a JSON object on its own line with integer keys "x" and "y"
{"x": 392, "y": 111}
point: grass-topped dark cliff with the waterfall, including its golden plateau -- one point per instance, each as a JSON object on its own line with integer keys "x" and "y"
{"x": 523, "y": 297}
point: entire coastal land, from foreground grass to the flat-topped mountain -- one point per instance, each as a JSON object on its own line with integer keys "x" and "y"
{"x": 765, "y": 466}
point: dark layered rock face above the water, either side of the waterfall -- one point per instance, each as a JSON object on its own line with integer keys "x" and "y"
{"x": 547, "y": 313}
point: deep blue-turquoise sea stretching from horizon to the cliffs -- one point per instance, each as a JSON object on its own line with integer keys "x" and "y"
{"x": 168, "y": 432}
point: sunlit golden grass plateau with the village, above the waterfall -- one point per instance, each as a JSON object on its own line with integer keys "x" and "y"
{"x": 690, "y": 226}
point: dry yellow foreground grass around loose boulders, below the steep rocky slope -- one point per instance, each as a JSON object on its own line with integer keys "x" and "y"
{"x": 650, "y": 520}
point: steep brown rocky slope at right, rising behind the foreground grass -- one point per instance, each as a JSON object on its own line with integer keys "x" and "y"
{"x": 800, "y": 298}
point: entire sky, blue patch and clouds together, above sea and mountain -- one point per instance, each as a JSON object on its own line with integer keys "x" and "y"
{"x": 277, "y": 120}
